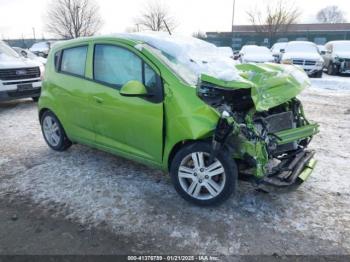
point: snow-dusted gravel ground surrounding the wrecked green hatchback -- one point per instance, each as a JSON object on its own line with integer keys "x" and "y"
{"x": 138, "y": 205}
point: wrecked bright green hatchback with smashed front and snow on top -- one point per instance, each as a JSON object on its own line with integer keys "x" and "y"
{"x": 180, "y": 105}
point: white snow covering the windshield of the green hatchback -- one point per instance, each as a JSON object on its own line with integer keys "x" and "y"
{"x": 190, "y": 57}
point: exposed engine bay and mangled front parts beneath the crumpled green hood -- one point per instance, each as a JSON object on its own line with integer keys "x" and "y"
{"x": 254, "y": 137}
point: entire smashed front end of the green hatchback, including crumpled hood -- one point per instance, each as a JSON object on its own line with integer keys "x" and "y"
{"x": 263, "y": 124}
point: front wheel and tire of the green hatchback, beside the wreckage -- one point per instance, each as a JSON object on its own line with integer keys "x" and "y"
{"x": 199, "y": 181}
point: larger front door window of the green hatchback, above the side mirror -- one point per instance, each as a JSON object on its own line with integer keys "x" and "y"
{"x": 116, "y": 66}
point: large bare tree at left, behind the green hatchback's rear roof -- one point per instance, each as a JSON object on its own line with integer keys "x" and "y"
{"x": 73, "y": 18}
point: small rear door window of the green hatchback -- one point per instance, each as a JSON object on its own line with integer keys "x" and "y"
{"x": 73, "y": 60}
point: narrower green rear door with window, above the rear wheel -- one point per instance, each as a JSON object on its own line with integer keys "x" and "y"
{"x": 71, "y": 93}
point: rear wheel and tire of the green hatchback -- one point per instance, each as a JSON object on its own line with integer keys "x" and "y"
{"x": 53, "y": 132}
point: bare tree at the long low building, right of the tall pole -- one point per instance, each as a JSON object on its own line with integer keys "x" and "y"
{"x": 276, "y": 18}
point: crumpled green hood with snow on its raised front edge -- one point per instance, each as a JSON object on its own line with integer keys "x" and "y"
{"x": 271, "y": 84}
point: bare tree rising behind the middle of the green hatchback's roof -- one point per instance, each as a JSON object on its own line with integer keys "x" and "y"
{"x": 156, "y": 17}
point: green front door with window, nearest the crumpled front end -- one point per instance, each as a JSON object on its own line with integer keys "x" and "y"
{"x": 131, "y": 125}
